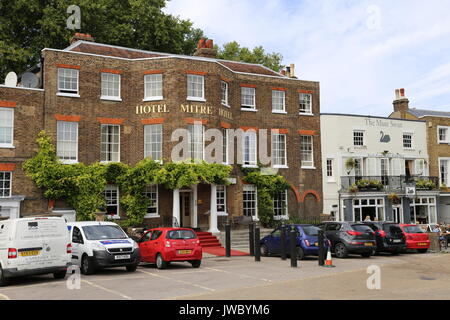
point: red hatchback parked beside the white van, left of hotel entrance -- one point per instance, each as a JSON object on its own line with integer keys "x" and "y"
{"x": 165, "y": 245}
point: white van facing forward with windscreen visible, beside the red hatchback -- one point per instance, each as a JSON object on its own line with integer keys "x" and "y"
{"x": 102, "y": 244}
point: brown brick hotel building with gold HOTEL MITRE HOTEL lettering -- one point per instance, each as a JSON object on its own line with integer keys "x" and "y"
{"x": 104, "y": 103}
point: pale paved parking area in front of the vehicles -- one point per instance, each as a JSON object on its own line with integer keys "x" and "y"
{"x": 407, "y": 276}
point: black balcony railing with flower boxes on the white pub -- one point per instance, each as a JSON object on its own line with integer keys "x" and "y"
{"x": 387, "y": 183}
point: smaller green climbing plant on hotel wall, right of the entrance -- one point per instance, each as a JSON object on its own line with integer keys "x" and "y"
{"x": 268, "y": 187}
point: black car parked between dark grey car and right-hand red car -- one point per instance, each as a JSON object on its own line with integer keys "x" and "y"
{"x": 388, "y": 235}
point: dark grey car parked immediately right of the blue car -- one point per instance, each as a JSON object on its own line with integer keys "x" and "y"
{"x": 349, "y": 237}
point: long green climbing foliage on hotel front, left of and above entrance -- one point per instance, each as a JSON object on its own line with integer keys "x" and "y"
{"x": 82, "y": 186}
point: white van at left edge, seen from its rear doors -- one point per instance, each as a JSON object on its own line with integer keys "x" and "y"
{"x": 30, "y": 246}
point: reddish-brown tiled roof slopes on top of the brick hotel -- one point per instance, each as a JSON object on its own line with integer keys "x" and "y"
{"x": 121, "y": 52}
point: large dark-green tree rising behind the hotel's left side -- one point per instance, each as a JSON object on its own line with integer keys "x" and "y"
{"x": 28, "y": 26}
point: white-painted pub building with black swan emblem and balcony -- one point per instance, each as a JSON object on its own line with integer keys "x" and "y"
{"x": 370, "y": 163}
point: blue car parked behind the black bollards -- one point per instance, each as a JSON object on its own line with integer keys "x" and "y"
{"x": 307, "y": 241}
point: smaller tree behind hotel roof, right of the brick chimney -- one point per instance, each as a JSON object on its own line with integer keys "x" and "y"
{"x": 233, "y": 51}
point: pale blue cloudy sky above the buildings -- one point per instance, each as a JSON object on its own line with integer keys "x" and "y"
{"x": 360, "y": 51}
